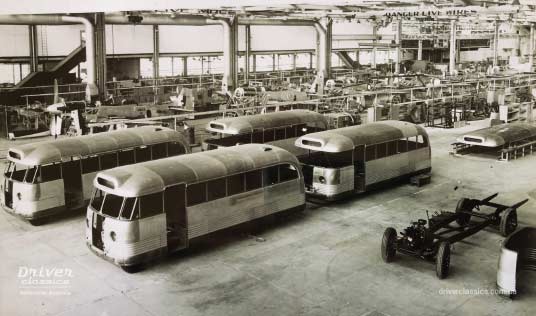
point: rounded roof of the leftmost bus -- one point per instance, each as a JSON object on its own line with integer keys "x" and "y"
{"x": 51, "y": 151}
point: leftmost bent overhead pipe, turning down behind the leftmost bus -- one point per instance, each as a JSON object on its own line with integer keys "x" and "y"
{"x": 42, "y": 19}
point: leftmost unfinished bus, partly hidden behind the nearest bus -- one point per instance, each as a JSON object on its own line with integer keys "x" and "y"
{"x": 46, "y": 178}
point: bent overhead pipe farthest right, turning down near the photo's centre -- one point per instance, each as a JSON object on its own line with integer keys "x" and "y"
{"x": 322, "y": 58}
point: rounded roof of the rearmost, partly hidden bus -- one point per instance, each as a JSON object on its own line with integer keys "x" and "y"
{"x": 249, "y": 123}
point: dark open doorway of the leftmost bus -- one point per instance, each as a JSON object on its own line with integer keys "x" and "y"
{"x": 72, "y": 184}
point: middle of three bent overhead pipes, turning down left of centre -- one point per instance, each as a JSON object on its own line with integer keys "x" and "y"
{"x": 195, "y": 20}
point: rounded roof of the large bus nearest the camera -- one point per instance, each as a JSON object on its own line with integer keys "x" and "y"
{"x": 154, "y": 176}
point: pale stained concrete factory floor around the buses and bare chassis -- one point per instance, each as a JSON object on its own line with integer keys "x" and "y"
{"x": 325, "y": 261}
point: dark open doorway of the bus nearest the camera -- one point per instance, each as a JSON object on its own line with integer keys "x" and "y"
{"x": 176, "y": 220}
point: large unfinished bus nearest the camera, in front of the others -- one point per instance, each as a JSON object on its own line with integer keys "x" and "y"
{"x": 143, "y": 211}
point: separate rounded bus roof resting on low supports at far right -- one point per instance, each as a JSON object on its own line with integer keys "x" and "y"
{"x": 499, "y": 135}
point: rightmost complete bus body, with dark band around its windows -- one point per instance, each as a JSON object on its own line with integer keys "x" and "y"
{"x": 359, "y": 158}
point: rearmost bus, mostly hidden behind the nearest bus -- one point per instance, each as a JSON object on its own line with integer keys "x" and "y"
{"x": 278, "y": 128}
